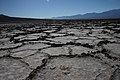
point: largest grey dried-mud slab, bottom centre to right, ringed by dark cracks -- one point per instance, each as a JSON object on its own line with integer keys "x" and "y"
{"x": 64, "y": 68}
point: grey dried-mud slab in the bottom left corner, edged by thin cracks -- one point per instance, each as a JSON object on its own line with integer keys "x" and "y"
{"x": 11, "y": 69}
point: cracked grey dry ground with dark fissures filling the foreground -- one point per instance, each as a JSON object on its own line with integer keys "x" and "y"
{"x": 54, "y": 53}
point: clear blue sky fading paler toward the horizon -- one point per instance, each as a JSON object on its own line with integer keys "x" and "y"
{"x": 55, "y": 8}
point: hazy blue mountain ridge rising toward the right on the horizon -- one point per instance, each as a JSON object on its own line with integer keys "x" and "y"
{"x": 115, "y": 13}
